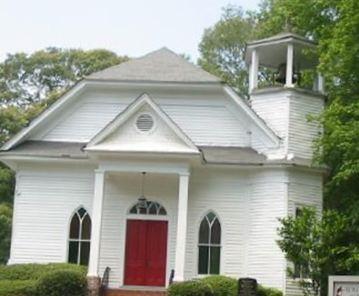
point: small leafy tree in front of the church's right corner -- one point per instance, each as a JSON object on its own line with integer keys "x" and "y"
{"x": 319, "y": 245}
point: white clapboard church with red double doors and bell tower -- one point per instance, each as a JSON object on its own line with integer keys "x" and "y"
{"x": 159, "y": 171}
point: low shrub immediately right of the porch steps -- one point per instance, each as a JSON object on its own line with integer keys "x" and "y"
{"x": 190, "y": 288}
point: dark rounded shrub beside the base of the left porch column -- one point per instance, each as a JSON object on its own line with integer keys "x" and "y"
{"x": 62, "y": 283}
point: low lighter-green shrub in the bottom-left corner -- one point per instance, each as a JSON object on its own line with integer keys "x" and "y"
{"x": 17, "y": 288}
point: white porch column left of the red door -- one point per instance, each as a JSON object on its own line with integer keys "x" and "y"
{"x": 96, "y": 223}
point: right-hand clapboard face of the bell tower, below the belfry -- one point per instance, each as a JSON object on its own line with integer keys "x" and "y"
{"x": 302, "y": 132}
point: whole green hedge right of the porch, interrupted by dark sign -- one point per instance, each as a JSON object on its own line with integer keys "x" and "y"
{"x": 215, "y": 286}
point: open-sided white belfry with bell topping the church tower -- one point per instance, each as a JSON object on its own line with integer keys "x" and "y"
{"x": 286, "y": 55}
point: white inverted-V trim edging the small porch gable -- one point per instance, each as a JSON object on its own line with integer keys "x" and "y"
{"x": 130, "y": 111}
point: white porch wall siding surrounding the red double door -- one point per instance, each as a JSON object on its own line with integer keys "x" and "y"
{"x": 121, "y": 192}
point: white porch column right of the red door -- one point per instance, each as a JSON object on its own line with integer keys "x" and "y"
{"x": 181, "y": 227}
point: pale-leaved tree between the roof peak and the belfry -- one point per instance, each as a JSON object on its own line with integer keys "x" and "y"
{"x": 222, "y": 48}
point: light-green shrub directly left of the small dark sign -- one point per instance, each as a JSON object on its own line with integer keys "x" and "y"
{"x": 222, "y": 285}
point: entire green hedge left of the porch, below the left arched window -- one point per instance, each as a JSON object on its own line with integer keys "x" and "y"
{"x": 42, "y": 280}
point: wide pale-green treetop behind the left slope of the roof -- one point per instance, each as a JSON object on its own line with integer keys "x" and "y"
{"x": 25, "y": 79}
